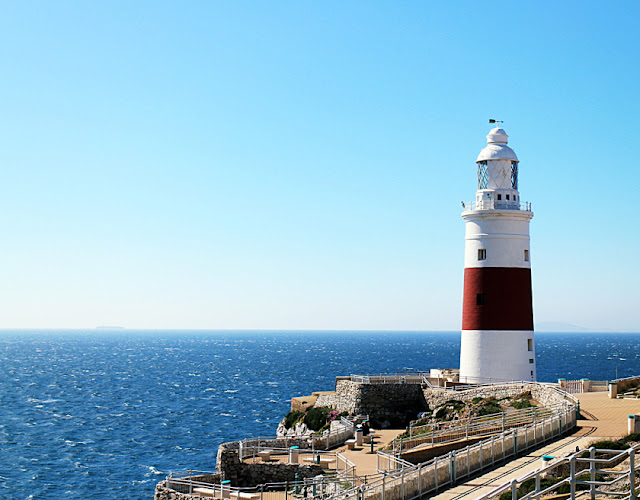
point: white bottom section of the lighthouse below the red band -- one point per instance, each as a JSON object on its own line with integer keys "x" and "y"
{"x": 497, "y": 355}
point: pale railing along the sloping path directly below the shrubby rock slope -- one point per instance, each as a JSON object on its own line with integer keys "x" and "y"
{"x": 446, "y": 432}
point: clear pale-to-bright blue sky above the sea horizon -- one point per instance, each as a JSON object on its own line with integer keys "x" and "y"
{"x": 300, "y": 165}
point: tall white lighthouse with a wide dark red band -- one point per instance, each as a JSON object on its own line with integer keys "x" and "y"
{"x": 497, "y": 313}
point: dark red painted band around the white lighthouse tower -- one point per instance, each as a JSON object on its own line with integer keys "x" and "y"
{"x": 497, "y": 298}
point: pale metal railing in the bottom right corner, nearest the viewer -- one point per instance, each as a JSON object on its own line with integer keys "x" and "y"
{"x": 582, "y": 475}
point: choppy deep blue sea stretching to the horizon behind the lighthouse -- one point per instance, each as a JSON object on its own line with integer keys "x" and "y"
{"x": 102, "y": 415}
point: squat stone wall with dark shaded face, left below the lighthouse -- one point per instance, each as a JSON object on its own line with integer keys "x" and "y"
{"x": 386, "y": 404}
